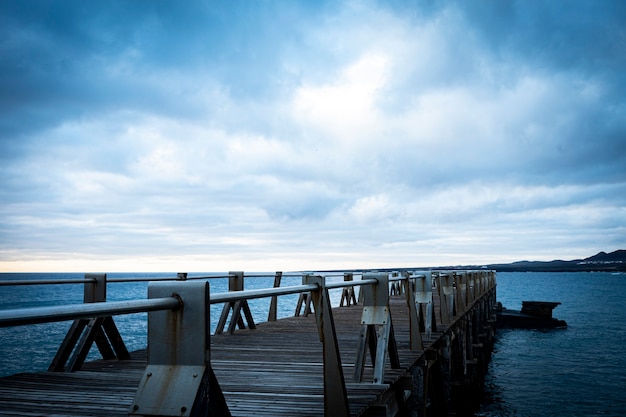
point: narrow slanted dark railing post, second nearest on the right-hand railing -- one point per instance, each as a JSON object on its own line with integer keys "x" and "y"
{"x": 335, "y": 394}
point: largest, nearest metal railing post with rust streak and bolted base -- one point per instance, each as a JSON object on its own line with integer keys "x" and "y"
{"x": 179, "y": 380}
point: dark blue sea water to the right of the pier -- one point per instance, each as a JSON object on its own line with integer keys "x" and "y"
{"x": 578, "y": 371}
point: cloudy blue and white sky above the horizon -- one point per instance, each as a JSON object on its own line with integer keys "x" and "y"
{"x": 307, "y": 135}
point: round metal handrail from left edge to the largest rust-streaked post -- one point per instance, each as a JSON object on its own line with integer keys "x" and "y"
{"x": 37, "y": 315}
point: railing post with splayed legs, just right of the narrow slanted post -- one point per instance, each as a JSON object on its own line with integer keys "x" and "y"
{"x": 376, "y": 329}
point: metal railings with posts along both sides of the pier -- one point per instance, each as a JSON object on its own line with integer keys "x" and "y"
{"x": 180, "y": 343}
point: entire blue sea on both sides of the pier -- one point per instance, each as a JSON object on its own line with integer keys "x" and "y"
{"x": 577, "y": 371}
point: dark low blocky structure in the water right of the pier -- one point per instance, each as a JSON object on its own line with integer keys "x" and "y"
{"x": 534, "y": 315}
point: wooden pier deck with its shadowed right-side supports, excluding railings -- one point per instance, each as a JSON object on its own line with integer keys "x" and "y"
{"x": 277, "y": 369}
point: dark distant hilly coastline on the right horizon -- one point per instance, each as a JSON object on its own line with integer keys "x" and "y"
{"x": 614, "y": 261}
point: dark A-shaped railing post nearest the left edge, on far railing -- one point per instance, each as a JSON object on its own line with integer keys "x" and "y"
{"x": 84, "y": 332}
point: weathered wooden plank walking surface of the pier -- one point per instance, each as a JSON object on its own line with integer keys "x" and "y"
{"x": 275, "y": 370}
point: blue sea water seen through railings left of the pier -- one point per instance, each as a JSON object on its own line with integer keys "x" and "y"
{"x": 32, "y": 348}
